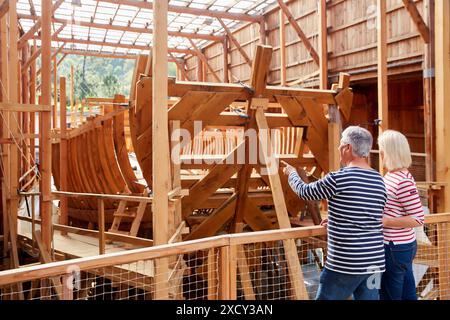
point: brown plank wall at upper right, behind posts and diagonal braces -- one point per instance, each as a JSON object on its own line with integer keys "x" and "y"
{"x": 351, "y": 42}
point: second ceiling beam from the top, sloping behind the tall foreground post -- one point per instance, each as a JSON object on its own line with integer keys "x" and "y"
{"x": 128, "y": 29}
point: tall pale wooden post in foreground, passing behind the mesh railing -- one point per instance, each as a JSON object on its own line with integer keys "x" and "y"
{"x": 160, "y": 131}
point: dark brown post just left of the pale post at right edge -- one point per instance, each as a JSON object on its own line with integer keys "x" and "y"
{"x": 429, "y": 102}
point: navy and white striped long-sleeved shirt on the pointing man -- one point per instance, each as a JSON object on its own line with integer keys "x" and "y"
{"x": 356, "y": 199}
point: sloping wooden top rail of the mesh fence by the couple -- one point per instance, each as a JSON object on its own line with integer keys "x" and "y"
{"x": 62, "y": 267}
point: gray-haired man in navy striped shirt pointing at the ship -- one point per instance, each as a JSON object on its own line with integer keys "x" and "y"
{"x": 356, "y": 197}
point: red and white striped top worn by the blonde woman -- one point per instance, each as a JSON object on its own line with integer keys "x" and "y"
{"x": 403, "y": 200}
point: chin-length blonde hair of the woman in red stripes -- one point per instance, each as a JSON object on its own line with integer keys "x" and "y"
{"x": 395, "y": 147}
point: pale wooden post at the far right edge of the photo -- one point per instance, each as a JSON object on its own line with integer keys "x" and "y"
{"x": 442, "y": 49}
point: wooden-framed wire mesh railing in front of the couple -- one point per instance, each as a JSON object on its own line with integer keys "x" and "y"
{"x": 267, "y": 265}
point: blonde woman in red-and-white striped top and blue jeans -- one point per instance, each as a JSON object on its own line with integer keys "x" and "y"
{"x": 403, "y": 212}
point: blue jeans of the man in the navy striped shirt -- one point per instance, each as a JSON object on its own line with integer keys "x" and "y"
{"x": 341, "y": 286}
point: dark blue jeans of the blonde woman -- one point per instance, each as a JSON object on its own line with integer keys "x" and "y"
{"x": 398, "y": 281}
